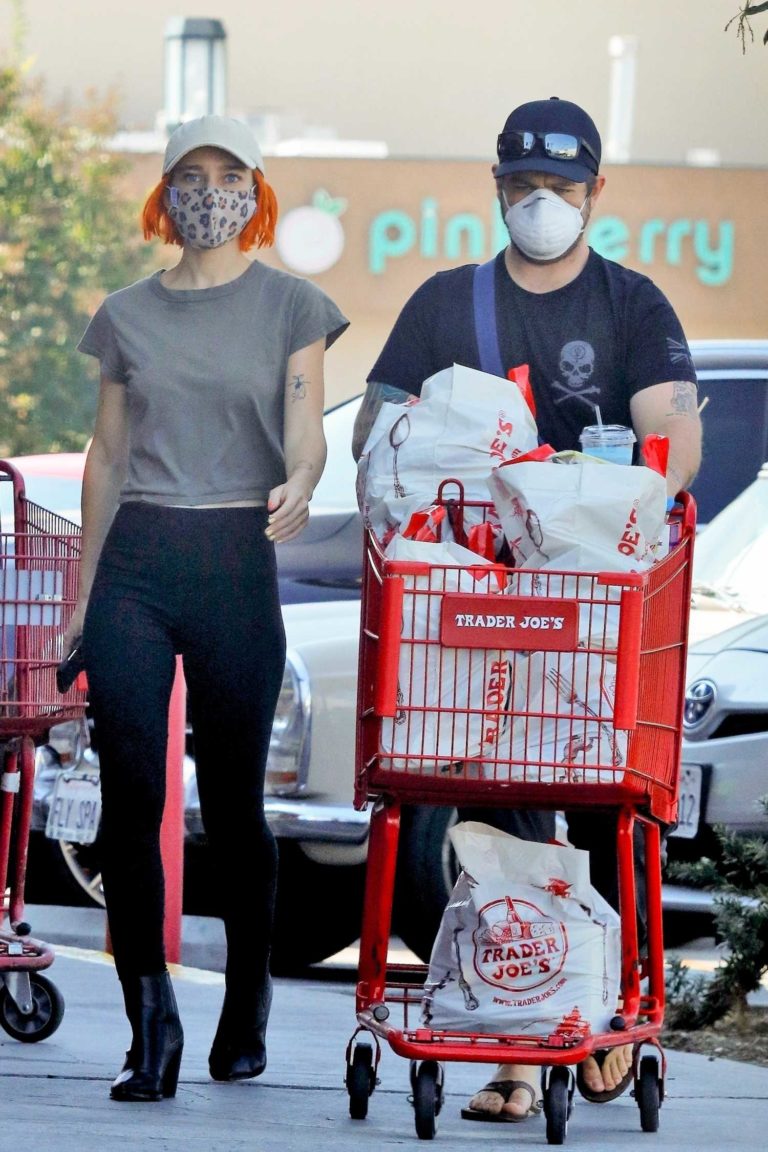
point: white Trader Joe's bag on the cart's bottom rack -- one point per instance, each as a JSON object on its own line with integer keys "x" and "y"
{"x": 526, "y": 945}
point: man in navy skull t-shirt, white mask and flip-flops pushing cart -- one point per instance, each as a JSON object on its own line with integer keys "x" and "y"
{"x": 595, "y": 336}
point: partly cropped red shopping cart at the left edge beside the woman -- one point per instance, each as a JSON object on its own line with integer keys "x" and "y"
{"x": 39, "y": 588}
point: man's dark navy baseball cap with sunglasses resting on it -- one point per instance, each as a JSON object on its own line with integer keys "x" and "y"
{"x": 554, "y": 137}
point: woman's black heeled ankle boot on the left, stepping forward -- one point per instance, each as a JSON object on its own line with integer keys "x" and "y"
{"x": 151, "y": 1068}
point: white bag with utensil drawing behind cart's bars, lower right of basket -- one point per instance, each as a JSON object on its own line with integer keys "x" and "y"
{"x": 562, "y": 730}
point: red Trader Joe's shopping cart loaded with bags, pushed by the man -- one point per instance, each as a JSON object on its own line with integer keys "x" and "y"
{"x": 423, "y": 640}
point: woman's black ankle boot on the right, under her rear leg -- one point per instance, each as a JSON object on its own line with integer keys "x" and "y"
{"x": 239, "y": 1050}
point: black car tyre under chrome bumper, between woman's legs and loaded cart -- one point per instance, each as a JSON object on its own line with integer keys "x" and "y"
{"x": 320, "y": 910}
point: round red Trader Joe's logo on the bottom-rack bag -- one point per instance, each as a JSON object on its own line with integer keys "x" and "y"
{"x": 516, "y": 948}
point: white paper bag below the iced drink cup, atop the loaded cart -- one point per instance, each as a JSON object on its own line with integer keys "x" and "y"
{"x": 580, "y": 514}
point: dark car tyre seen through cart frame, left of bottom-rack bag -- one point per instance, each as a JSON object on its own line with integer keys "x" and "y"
{"x": 427, "y": 874}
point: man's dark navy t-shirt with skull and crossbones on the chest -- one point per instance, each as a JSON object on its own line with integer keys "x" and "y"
{"x": 598, "y": 342}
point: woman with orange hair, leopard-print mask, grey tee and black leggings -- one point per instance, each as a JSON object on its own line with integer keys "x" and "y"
{"x": 208, "y": 446}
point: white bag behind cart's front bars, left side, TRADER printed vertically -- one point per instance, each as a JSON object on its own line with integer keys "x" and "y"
{"x": 443, "y": 693}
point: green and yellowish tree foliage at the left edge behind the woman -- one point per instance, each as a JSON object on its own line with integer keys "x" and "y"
{"x": 67, "y": 237}
